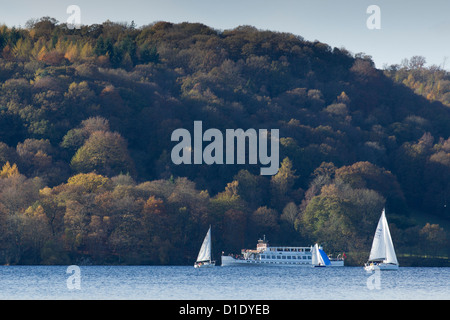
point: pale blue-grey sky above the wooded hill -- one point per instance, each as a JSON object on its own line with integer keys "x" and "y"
{"x": 408, "y": 28}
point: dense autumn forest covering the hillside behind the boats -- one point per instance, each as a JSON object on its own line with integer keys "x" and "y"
{"x": 86, "y": 117}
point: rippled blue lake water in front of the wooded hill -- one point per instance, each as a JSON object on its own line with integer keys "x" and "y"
{"x": 222, "y": 283}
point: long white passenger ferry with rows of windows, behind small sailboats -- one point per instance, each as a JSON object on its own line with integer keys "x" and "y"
{"x": 275, "y": 256}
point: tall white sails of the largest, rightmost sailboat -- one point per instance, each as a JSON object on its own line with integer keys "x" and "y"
{"x": 382, "y": 246}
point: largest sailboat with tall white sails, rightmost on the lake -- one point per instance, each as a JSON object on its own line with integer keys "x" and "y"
{"x": 382, "y": 254}
